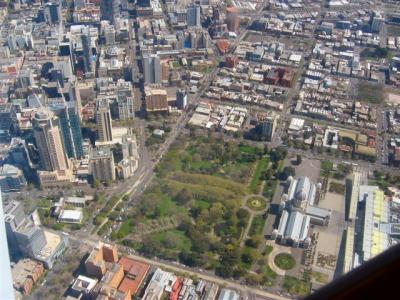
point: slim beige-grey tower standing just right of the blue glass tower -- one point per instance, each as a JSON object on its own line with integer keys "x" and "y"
{"x": 103, "y": 121}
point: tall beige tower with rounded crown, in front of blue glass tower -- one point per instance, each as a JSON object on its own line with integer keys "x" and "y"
{"x": 48, "y": 140}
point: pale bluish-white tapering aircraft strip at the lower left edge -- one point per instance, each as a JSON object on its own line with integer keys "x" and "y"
{"x": 6, "y": 286}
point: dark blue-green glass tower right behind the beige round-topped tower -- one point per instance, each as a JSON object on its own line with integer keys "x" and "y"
{"x": 70, "y": 128}
